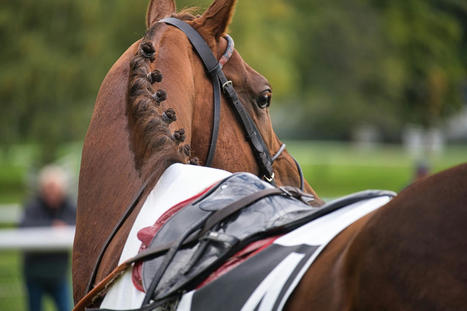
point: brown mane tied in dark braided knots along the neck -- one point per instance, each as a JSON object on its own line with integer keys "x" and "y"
{"x": 152, "y": 141}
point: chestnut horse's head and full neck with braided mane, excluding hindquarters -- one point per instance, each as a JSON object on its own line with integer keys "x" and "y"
{"x": 152, "y": 112}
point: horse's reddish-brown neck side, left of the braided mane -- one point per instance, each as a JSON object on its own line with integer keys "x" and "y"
{"x": 108, "y": 178}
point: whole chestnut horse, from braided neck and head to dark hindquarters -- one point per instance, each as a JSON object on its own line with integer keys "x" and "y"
{"x": 155, "y": 108}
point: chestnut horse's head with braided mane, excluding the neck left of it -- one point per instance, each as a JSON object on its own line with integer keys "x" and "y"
{"x": 170, "y": 97}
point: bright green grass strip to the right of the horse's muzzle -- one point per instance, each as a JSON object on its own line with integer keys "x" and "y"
{"x": 336, "y": 169}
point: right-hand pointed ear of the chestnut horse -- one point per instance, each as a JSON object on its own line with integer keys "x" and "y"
{"x": 217, "y": 17}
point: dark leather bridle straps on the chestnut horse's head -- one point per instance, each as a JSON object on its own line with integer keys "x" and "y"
{"x": 218, "y": 80}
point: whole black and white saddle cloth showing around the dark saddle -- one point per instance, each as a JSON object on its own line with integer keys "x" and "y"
{"x": 263, "y": 282}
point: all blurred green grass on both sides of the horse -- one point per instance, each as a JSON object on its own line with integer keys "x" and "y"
{"x": 333, "y": 169}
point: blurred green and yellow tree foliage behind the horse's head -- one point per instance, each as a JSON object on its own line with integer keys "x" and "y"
{"x": 334, "y": 65}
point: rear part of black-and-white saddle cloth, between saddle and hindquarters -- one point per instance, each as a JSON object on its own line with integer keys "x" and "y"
{"x": 265, "y": 281}
